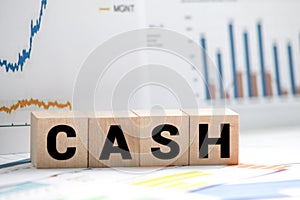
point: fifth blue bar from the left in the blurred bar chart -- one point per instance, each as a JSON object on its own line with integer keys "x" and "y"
{"x": 262, "y": 63}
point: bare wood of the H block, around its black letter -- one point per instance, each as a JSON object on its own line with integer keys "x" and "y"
{"x": 214, "y": 118}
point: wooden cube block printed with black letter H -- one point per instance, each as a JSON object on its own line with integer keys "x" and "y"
{"x": 214, "y": 136}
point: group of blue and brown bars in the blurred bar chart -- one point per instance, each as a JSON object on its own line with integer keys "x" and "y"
{"x": 247, "y": 83}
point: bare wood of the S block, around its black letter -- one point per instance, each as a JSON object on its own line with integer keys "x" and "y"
{"x": 151, "y": 119}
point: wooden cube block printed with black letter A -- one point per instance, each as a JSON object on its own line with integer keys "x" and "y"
{"x": 114, "y": 139}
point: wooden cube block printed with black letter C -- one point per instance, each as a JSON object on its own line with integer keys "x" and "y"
{"x": 58, "y": 140}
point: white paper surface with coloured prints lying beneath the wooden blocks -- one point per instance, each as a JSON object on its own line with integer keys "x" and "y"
{"x": 258, "y": 176}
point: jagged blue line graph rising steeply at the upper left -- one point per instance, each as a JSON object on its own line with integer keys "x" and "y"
{"x": 24, "y": 55}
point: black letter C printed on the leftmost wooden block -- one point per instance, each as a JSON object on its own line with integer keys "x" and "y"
{"x": 51, "y": 142}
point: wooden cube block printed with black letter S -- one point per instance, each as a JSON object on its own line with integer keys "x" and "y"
{"x": 164, "y": 137}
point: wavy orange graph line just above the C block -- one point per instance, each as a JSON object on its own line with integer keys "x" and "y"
{"x": 30, "y": 102}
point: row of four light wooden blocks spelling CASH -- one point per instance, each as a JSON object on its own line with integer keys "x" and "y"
{"x": 151, "y": 138}
